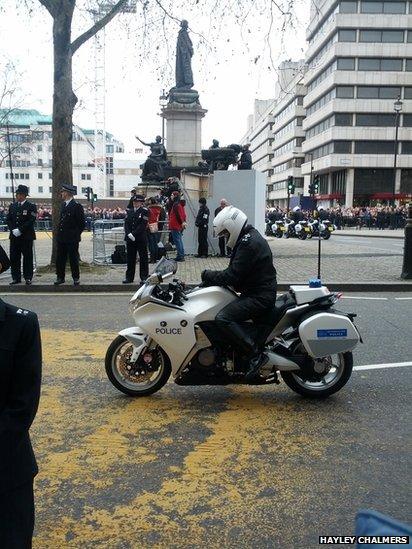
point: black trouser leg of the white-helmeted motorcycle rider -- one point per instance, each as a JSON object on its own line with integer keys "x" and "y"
{"x": 231, "y": 317}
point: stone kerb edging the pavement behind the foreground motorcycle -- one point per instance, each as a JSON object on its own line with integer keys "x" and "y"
{"x": 401, "y": 286}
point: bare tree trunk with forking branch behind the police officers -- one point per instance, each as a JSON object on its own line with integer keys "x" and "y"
{"x": 64, "y": 98}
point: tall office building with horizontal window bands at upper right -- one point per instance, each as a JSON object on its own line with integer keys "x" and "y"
{"x": 359, "y": 74}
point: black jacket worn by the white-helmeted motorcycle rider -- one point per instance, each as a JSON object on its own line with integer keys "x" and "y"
{"x": 250, "y": 271}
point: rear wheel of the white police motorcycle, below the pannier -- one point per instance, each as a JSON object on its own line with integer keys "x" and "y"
{"x": 338, "y": 374}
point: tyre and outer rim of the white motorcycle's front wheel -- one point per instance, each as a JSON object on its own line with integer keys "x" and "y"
{"x": 123, "y": 381}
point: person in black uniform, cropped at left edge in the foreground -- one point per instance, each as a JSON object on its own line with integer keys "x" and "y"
{"x": 20, "y": 378}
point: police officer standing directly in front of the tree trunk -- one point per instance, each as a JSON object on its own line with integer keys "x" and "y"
{"x": 71, "y": 226}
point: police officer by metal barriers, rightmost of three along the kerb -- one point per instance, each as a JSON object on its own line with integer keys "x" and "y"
{"x": 135, "y": 226}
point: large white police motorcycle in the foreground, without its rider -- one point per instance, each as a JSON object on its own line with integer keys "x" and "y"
{"x": 307, "y": 341}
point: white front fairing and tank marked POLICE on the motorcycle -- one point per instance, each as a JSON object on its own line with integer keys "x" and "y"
{"x": 174, "y": 326}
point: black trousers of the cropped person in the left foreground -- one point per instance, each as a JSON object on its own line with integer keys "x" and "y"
{"x": 17, "y": 517}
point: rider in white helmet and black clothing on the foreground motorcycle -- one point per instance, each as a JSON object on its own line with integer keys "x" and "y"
{"x": 252, "y": 274}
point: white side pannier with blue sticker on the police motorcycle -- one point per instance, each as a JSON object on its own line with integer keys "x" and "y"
{"x": 326, "y": 334}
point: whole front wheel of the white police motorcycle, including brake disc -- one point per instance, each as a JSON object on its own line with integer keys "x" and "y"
{"x": 138, "y": 379}
